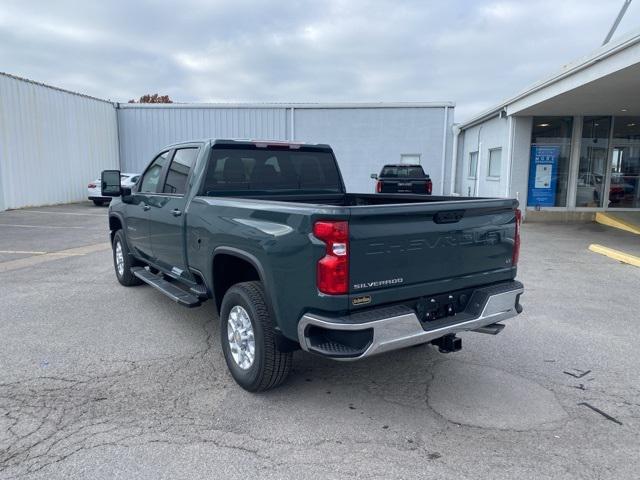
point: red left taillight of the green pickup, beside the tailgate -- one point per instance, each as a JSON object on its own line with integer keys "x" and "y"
{"x": 333, "y": 269}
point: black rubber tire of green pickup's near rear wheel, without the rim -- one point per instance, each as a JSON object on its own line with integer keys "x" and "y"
{"x": 270, "y": 367}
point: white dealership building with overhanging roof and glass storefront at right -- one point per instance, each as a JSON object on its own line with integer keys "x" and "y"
{"x": 567, "y": 146}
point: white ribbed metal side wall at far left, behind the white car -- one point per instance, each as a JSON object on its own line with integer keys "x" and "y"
{"x": 52, "y": 143}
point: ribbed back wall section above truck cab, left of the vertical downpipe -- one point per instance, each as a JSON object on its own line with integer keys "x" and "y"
{"x": 144, "y": 130}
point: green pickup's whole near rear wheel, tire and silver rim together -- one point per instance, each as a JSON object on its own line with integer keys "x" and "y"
{"x": 248, "y": 340}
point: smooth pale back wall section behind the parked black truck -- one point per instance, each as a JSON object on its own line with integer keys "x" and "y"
{"x": 364, "y": 139}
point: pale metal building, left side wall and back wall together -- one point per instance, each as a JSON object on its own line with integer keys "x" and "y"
{"x": 53, "y": 141}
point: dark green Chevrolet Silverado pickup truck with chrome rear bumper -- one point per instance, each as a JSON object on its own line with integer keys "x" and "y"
{"x": 267, "y": 231}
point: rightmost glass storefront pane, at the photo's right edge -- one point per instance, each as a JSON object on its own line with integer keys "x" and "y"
{"x": 624, "y": 182}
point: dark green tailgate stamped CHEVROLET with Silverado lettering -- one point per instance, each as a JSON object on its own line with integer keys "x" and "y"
{"x": 403, "y": 251}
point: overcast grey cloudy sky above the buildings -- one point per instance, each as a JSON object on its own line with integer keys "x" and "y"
{"x": 475, "y": 53}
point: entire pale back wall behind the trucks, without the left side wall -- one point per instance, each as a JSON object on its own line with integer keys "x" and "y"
{"x": 364, "y": 136}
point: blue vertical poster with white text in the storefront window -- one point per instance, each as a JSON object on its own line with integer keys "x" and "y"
{"x": 543, "y": 176}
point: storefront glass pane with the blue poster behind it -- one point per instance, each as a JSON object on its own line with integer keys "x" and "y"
{"x": 549, "y": 164}
